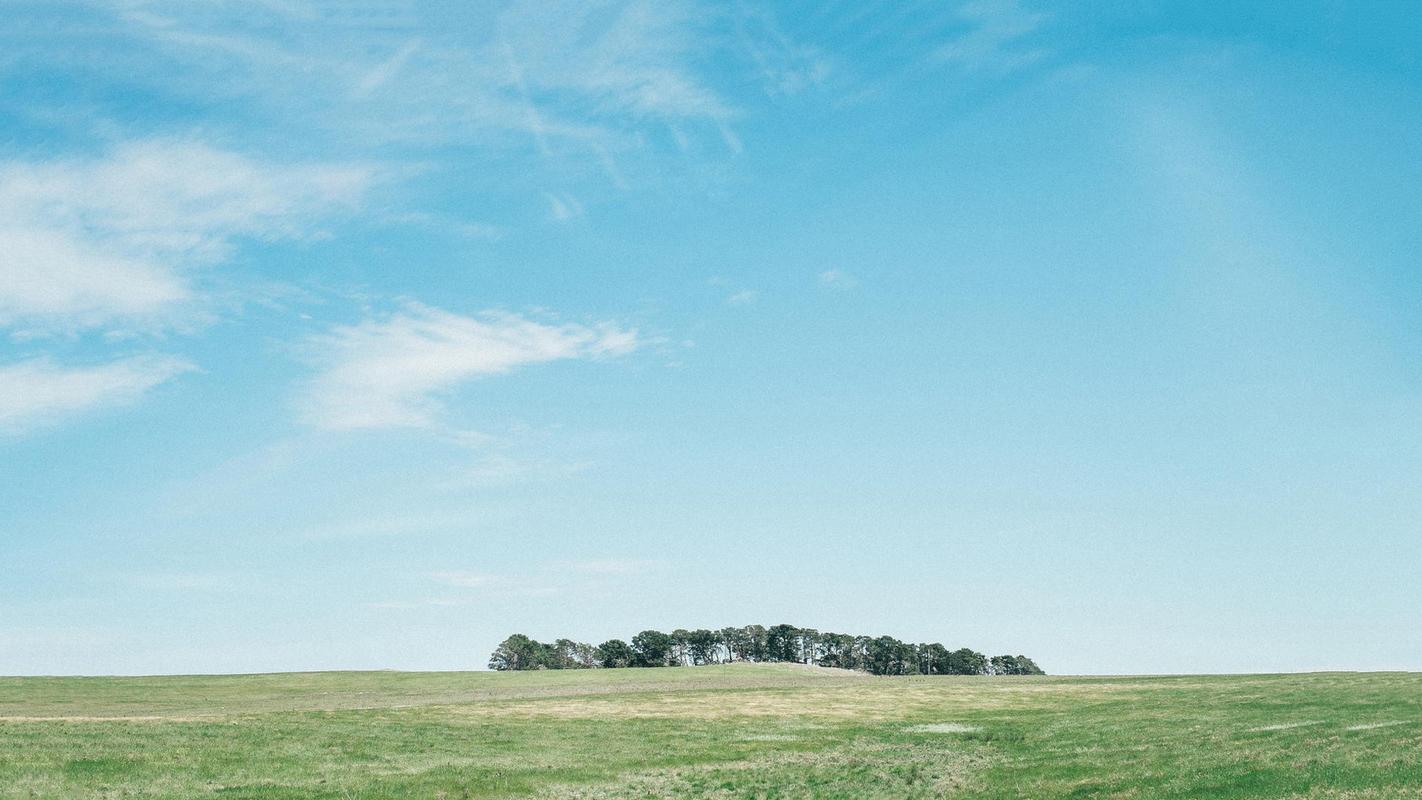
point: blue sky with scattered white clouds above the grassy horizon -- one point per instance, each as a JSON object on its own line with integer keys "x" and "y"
{"x": 362, "y": 335}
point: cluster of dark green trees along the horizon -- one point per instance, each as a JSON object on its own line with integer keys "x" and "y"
{"x": 881, "y": 656}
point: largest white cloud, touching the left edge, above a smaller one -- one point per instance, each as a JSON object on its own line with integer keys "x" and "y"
{"x": 106, "y": 241}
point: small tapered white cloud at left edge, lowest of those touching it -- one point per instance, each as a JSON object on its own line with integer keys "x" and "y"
{"x": 38, "y": 393}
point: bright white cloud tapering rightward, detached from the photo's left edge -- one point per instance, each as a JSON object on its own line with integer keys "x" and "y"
{"x": 387, "y": 373}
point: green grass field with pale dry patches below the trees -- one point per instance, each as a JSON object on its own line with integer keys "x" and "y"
{"x": 739, "y": 731}
